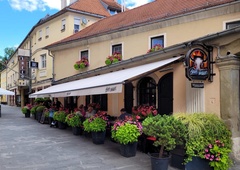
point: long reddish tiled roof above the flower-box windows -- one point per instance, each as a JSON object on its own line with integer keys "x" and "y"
{"x": 149, "y": 12}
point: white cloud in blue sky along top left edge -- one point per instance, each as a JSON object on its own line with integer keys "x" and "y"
{"x": 32, "y": 5}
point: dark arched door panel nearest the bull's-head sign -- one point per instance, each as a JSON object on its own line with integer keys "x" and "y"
{"x": 165, "y": 94}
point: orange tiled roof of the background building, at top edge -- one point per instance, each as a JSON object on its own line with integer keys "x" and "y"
{"x": 94, "y": 6}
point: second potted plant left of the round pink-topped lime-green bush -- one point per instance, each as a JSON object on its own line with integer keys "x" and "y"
{"x": 74, "y": 120}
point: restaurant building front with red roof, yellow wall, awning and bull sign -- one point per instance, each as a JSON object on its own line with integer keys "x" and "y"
{"x": 192, "y": 37}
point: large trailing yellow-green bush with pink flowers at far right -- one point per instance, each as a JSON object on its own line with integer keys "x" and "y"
{"x": 207, "y": 136}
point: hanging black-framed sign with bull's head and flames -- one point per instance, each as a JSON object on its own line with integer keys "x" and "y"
{"x": 197, "y": 61}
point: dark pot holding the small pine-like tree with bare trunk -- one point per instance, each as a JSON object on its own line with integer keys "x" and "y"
{"x": 159, "y": 163}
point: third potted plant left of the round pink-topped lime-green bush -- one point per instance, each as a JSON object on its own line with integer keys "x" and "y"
{"x": 60, "y": 117}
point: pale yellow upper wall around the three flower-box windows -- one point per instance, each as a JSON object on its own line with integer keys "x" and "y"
{"x": 136, "y": 44}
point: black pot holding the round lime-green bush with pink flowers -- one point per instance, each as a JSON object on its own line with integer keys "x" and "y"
{"x": 128, "y": 150}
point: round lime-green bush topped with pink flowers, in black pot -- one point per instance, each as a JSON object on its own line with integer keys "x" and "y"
{"x": 126, "y": 132}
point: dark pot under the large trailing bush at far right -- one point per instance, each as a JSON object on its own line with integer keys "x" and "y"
{"x": 198, "y": 163}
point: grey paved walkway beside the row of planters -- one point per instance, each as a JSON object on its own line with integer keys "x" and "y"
{"x": 26, "y": 144}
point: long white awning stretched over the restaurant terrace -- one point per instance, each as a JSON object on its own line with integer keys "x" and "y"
{"x": 102, "y": 84}
